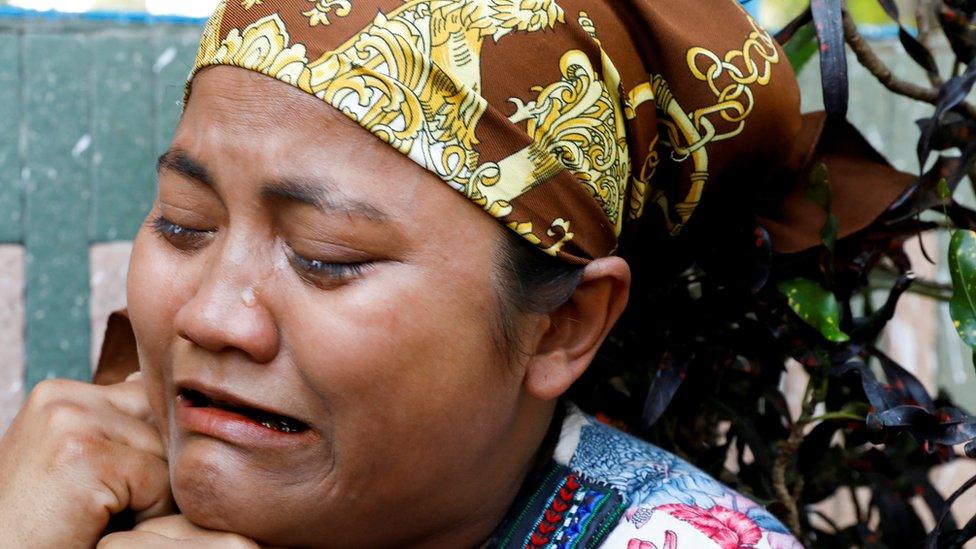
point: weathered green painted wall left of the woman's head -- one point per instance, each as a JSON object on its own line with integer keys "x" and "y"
{"x": 85, "y": 108}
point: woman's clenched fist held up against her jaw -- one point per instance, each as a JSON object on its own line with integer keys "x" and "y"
{"x": 75, "y": 455}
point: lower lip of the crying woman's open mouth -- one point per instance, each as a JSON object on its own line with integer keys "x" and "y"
{"x": 235, "y": 428}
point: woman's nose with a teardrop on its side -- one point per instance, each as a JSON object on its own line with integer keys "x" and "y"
{"x": 228, "y": 312}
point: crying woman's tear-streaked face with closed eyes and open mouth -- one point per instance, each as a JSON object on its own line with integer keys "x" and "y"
{"x": 314, "y": 316}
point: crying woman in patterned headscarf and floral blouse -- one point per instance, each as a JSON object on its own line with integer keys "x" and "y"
{"x": 385, "y": 245}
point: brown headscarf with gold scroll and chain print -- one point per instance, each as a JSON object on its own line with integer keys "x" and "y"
{"x": 561, "y": 118}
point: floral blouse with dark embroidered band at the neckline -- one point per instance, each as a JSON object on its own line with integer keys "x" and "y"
{"x": 607, "y": 489}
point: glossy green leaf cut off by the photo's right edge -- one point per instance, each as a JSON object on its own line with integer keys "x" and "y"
{"x": 962, "y": 267}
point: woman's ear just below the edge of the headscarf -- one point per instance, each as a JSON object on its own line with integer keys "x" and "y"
{"x": 574, "y": 332}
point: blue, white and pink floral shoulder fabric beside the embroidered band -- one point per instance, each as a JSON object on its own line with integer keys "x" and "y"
{"x": 666, "y": 500}
